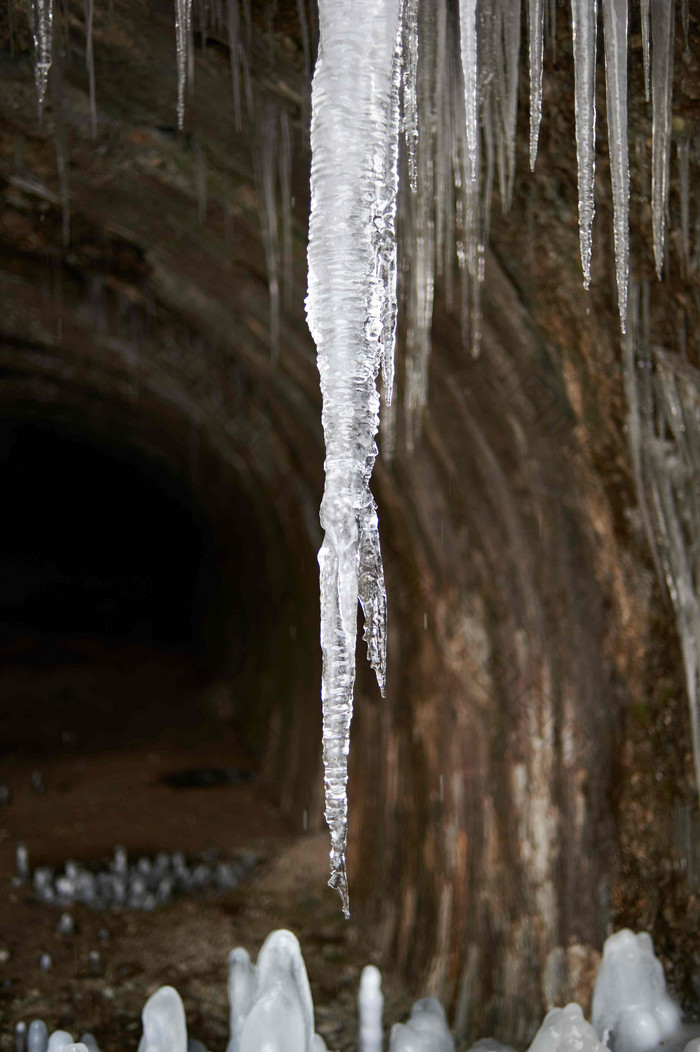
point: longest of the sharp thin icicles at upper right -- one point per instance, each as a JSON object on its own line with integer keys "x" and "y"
{"x": 615, "y": 14}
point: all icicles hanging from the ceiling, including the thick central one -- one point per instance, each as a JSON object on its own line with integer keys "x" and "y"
{"x": 446, "y": 76}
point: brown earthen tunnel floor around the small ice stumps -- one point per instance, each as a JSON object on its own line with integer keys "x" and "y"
{"x": 96, "y": 798}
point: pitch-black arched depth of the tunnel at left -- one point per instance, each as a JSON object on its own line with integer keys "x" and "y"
{"x": 97, "y": 543}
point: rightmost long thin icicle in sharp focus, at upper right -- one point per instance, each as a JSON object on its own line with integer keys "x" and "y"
{"x": 663, "y": 82}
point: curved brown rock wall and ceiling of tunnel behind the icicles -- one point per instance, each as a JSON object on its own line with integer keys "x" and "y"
{"x": 519, "y": 791}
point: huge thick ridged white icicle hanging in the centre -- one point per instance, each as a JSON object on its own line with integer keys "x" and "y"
{"x": 352, "y": 316}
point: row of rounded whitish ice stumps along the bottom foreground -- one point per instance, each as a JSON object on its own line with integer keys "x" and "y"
{"x": 271, "y": 1008}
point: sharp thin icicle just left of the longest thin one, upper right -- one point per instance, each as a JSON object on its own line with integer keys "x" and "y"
{"x": 585, "y": 17}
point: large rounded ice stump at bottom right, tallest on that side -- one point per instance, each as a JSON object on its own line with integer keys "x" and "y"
{"x": 630, "y": 1000}
